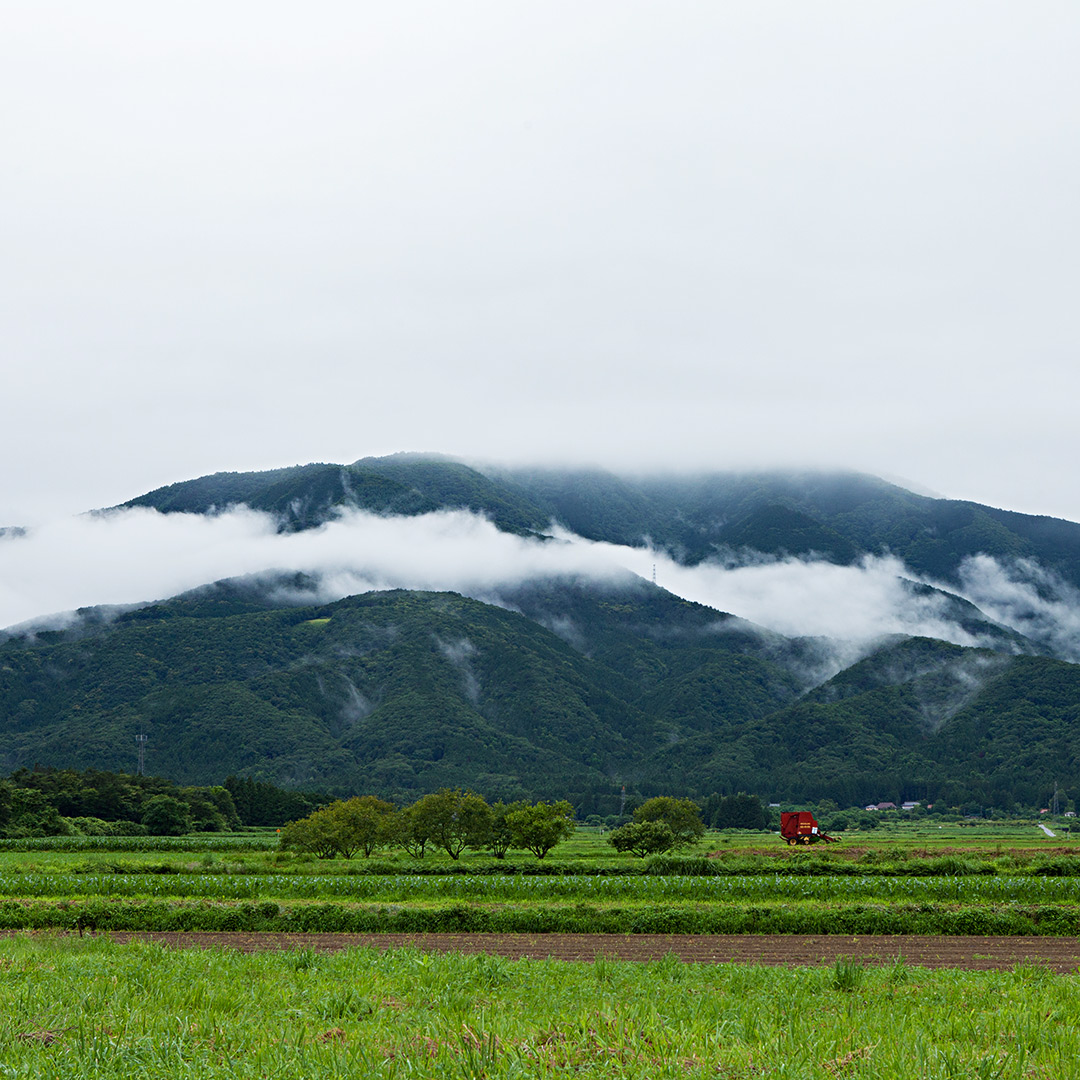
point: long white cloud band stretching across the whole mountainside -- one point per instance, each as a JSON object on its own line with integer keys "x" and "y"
{"x": 132, "y": 557}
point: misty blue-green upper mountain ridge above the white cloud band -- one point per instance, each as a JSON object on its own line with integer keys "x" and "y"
{"x": 836, "y": 517}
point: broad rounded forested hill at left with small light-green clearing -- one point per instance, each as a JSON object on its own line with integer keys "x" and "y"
{"x": 395, "y": 692}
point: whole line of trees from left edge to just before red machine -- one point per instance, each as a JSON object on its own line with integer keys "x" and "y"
{"x": 50, "y": 802}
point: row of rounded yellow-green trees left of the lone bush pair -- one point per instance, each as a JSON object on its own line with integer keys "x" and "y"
{"x": 449, "y": 820}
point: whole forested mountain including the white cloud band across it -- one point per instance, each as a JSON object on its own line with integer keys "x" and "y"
{"x": 408, "y": 623}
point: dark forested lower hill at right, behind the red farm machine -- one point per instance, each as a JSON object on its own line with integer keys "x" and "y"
{"x": 920, "y": 720}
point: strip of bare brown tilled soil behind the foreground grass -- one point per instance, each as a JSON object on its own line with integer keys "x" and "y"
{"x": 975, "y": 954}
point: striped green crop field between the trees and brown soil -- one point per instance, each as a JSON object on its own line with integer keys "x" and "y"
{"x": 1011, "y": 881}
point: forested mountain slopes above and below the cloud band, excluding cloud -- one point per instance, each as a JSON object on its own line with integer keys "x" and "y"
{"x": 571, "y": 686}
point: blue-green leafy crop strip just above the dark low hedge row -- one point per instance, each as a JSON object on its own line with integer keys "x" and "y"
{"x": 588, "y": 889}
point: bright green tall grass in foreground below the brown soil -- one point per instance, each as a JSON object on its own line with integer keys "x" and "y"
{"x": 94, "y": 1009}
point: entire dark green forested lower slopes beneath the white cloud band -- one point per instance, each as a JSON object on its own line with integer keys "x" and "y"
{"x": 576, "y": 692}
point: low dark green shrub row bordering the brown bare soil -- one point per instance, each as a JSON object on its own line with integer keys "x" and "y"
{"x": 463, "y": 919}
